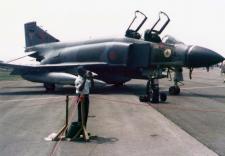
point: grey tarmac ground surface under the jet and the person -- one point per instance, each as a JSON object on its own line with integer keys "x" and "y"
{"x": 190, "y": 124}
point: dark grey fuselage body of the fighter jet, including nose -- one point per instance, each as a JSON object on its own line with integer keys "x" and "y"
{"x": 125, "y": 58}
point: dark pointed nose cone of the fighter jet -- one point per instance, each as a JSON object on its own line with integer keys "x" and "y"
{"x": 202, "y": 57}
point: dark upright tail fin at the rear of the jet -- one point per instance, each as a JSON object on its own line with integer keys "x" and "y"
{"x": 35, "y": 35}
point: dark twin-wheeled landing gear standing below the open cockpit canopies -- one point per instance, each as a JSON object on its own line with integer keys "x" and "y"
{"x": 152, "y": 92}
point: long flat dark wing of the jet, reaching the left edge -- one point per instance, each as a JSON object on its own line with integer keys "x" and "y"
{"x": 21, "y": 69}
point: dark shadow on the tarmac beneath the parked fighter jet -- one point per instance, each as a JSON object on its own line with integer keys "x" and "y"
{"x": 103, "y": 89}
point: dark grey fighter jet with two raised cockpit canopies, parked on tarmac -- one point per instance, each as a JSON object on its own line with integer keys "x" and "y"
{"x": 113, "y": 60}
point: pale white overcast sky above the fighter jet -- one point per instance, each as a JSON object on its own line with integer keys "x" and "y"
{"x": 195, "y": 22}
